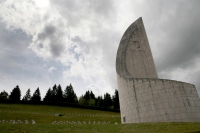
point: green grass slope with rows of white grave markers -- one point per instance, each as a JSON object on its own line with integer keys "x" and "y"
{"x": 78, "y": 121}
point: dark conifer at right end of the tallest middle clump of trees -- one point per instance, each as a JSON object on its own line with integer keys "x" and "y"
{"x": 70, "y": 95}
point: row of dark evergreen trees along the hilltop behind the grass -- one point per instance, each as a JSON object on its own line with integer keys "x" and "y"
{"x": 56, "y": 94}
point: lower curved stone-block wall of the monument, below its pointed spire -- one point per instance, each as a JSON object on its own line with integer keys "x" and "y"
{"x": 157, "y": 100}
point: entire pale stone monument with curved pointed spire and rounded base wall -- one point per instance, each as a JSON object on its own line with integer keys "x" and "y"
{"x": 143, "y": 96}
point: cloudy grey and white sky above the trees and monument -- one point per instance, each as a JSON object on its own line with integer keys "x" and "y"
{"x": 47, "y": 42}
